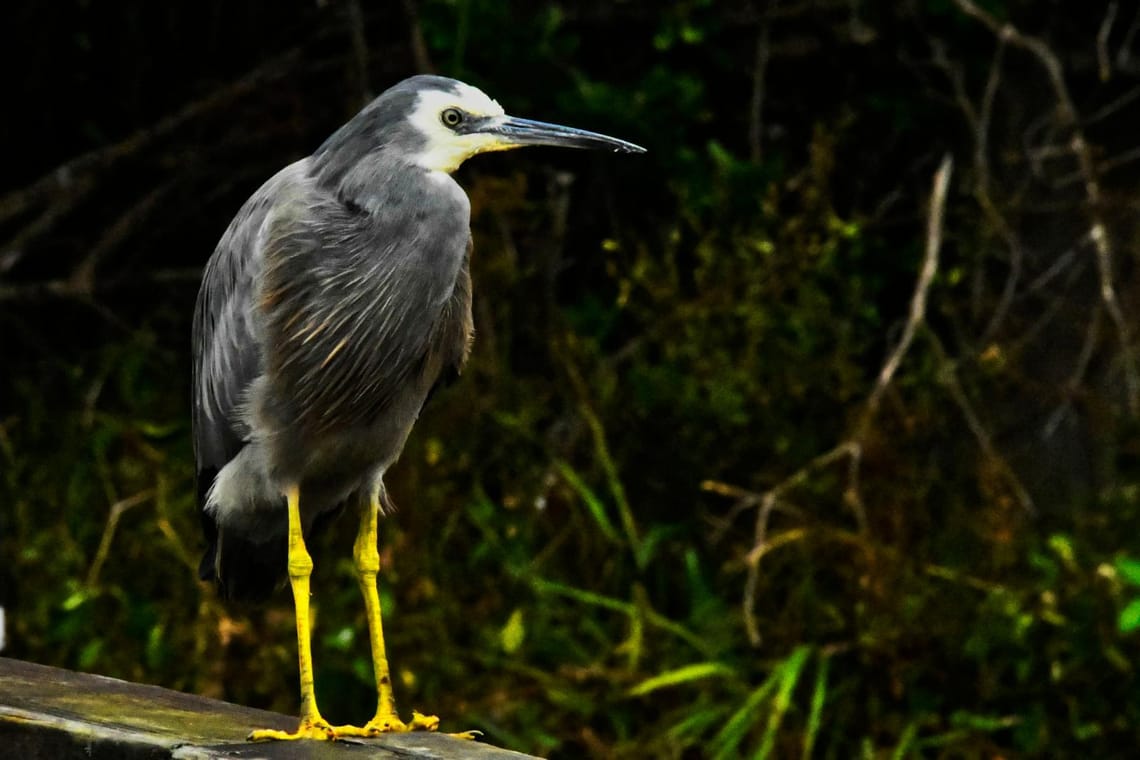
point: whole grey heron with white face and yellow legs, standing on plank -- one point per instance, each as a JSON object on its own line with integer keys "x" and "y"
{"x": 338, "y": 298}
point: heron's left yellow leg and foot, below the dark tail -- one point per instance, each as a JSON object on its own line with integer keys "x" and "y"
{"x": 300, "y": 568}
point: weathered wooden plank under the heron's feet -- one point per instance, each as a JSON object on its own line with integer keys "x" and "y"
{"x": 58, "y": 715}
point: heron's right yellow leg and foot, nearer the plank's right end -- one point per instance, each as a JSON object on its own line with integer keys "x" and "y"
{"x": 368, "y": 566}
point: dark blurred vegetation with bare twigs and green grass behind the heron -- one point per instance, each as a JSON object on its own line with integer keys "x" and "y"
{"x": 746, "y": 464}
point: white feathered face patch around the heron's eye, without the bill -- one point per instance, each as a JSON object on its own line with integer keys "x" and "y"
{"x": 446, "y": 150}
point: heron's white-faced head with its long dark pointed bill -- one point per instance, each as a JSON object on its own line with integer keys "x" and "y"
{"x": 458, "y": 121}
